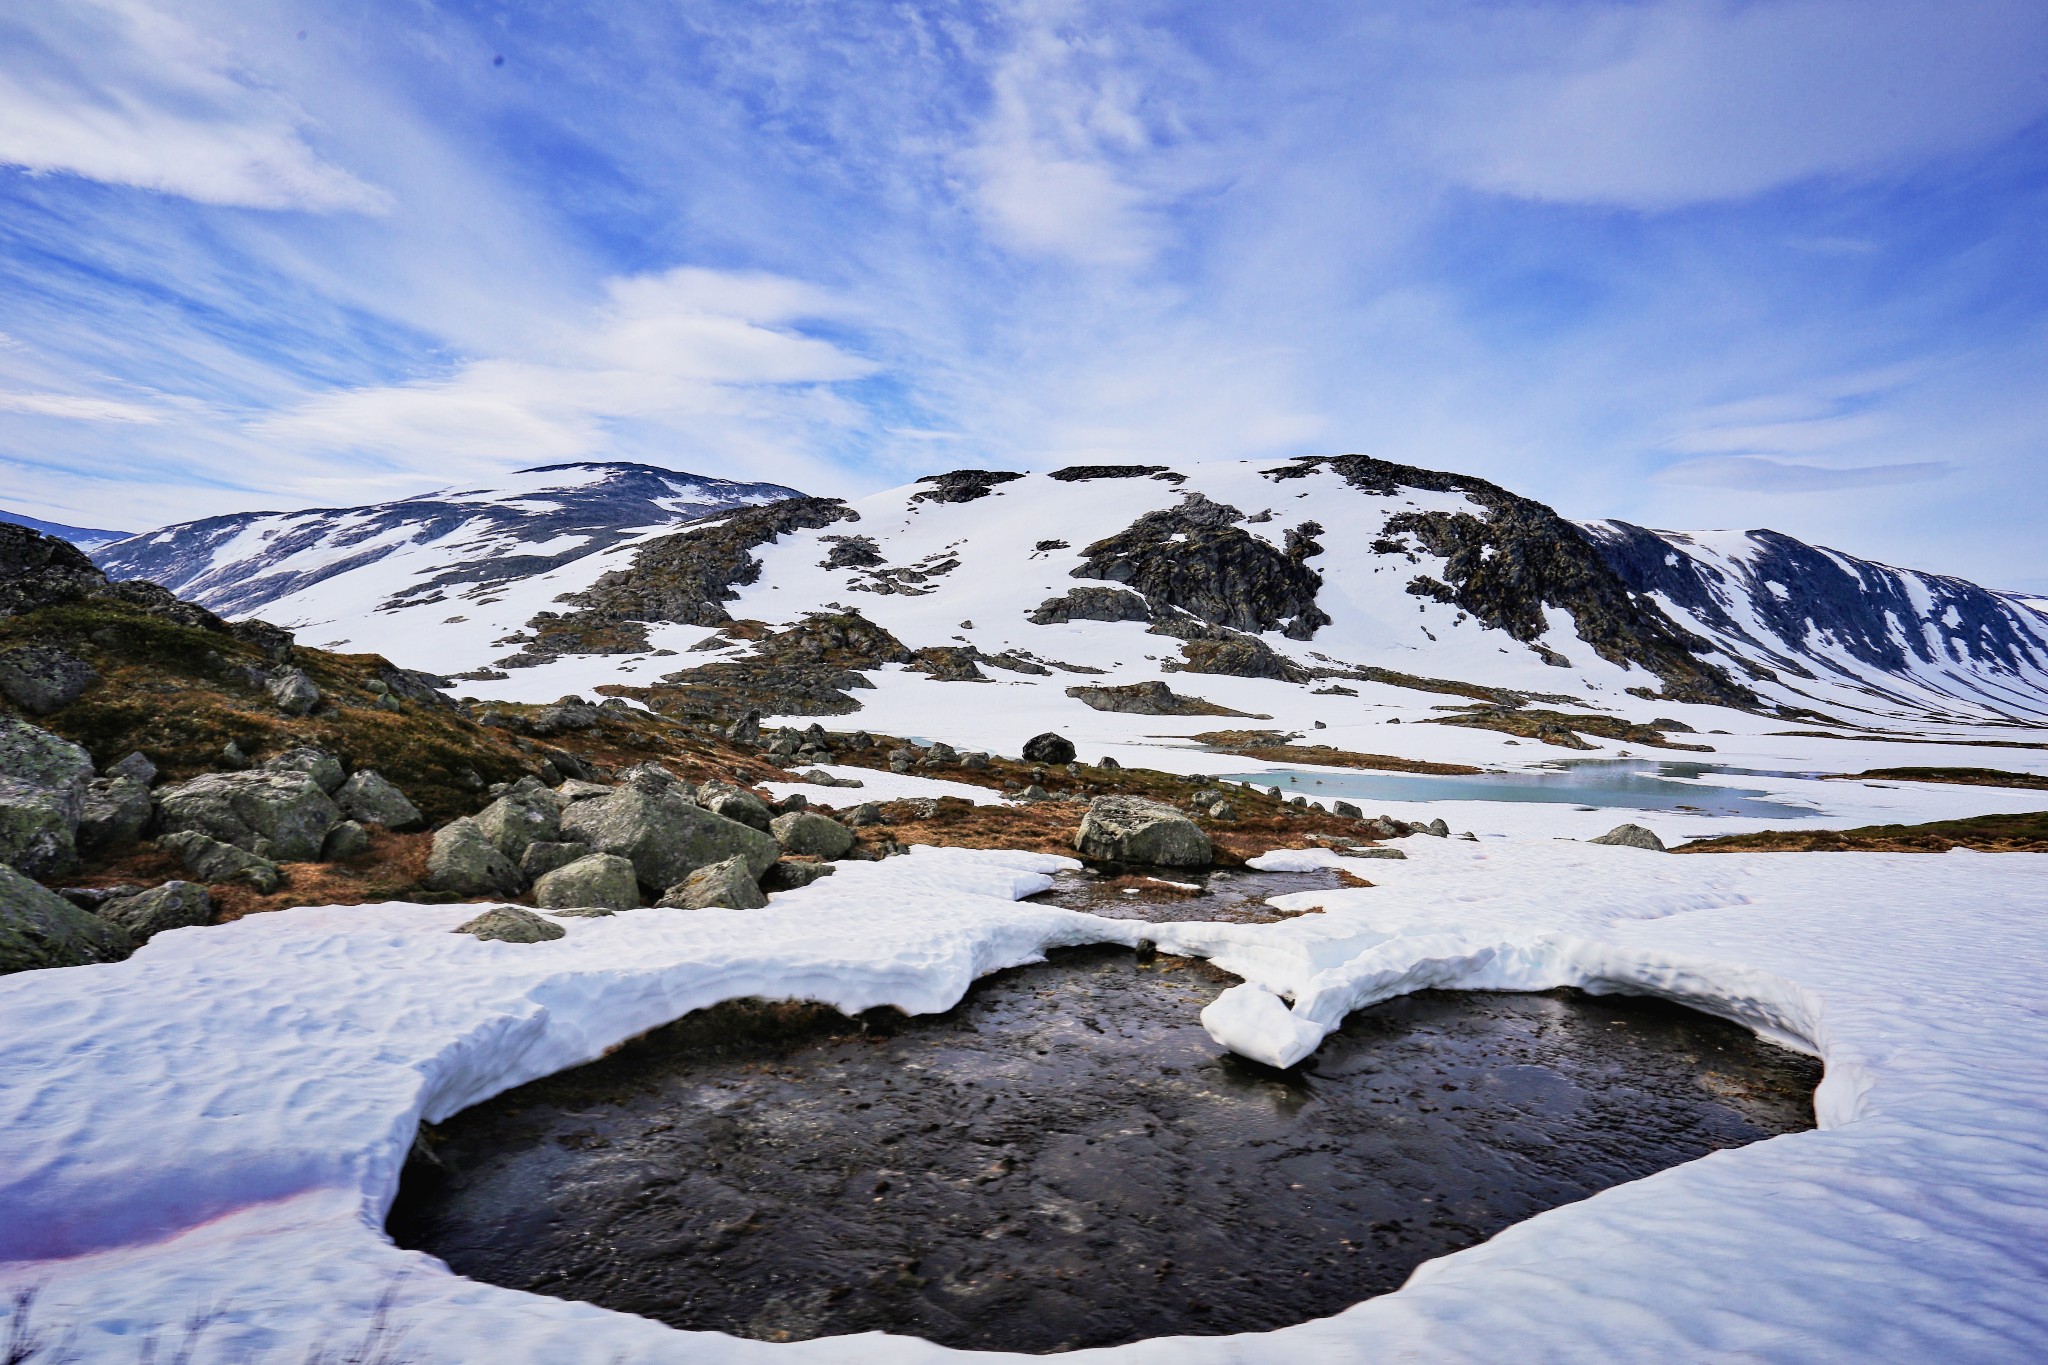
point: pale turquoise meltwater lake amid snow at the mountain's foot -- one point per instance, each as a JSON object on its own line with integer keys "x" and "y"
{"x": 1635, "y": 785}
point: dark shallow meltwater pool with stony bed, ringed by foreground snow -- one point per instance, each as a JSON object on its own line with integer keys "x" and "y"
{"x": 1066, "y": 1159}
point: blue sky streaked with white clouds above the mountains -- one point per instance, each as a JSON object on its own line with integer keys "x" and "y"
{"x": 1691, "y": 263}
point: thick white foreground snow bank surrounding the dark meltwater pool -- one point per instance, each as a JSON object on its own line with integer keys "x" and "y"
{"x": 239, "y": 1100}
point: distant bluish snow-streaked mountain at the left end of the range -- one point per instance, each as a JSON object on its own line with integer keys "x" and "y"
{"x": 390, "y": 574}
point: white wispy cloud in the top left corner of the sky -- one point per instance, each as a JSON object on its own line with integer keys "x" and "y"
{"x": 126, "y": 93}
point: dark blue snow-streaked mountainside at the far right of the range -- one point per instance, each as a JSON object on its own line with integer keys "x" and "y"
{"x": 1840, "y": 631}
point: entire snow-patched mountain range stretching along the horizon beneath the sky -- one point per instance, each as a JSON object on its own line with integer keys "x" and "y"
{"x": 1320, "y": 574}
